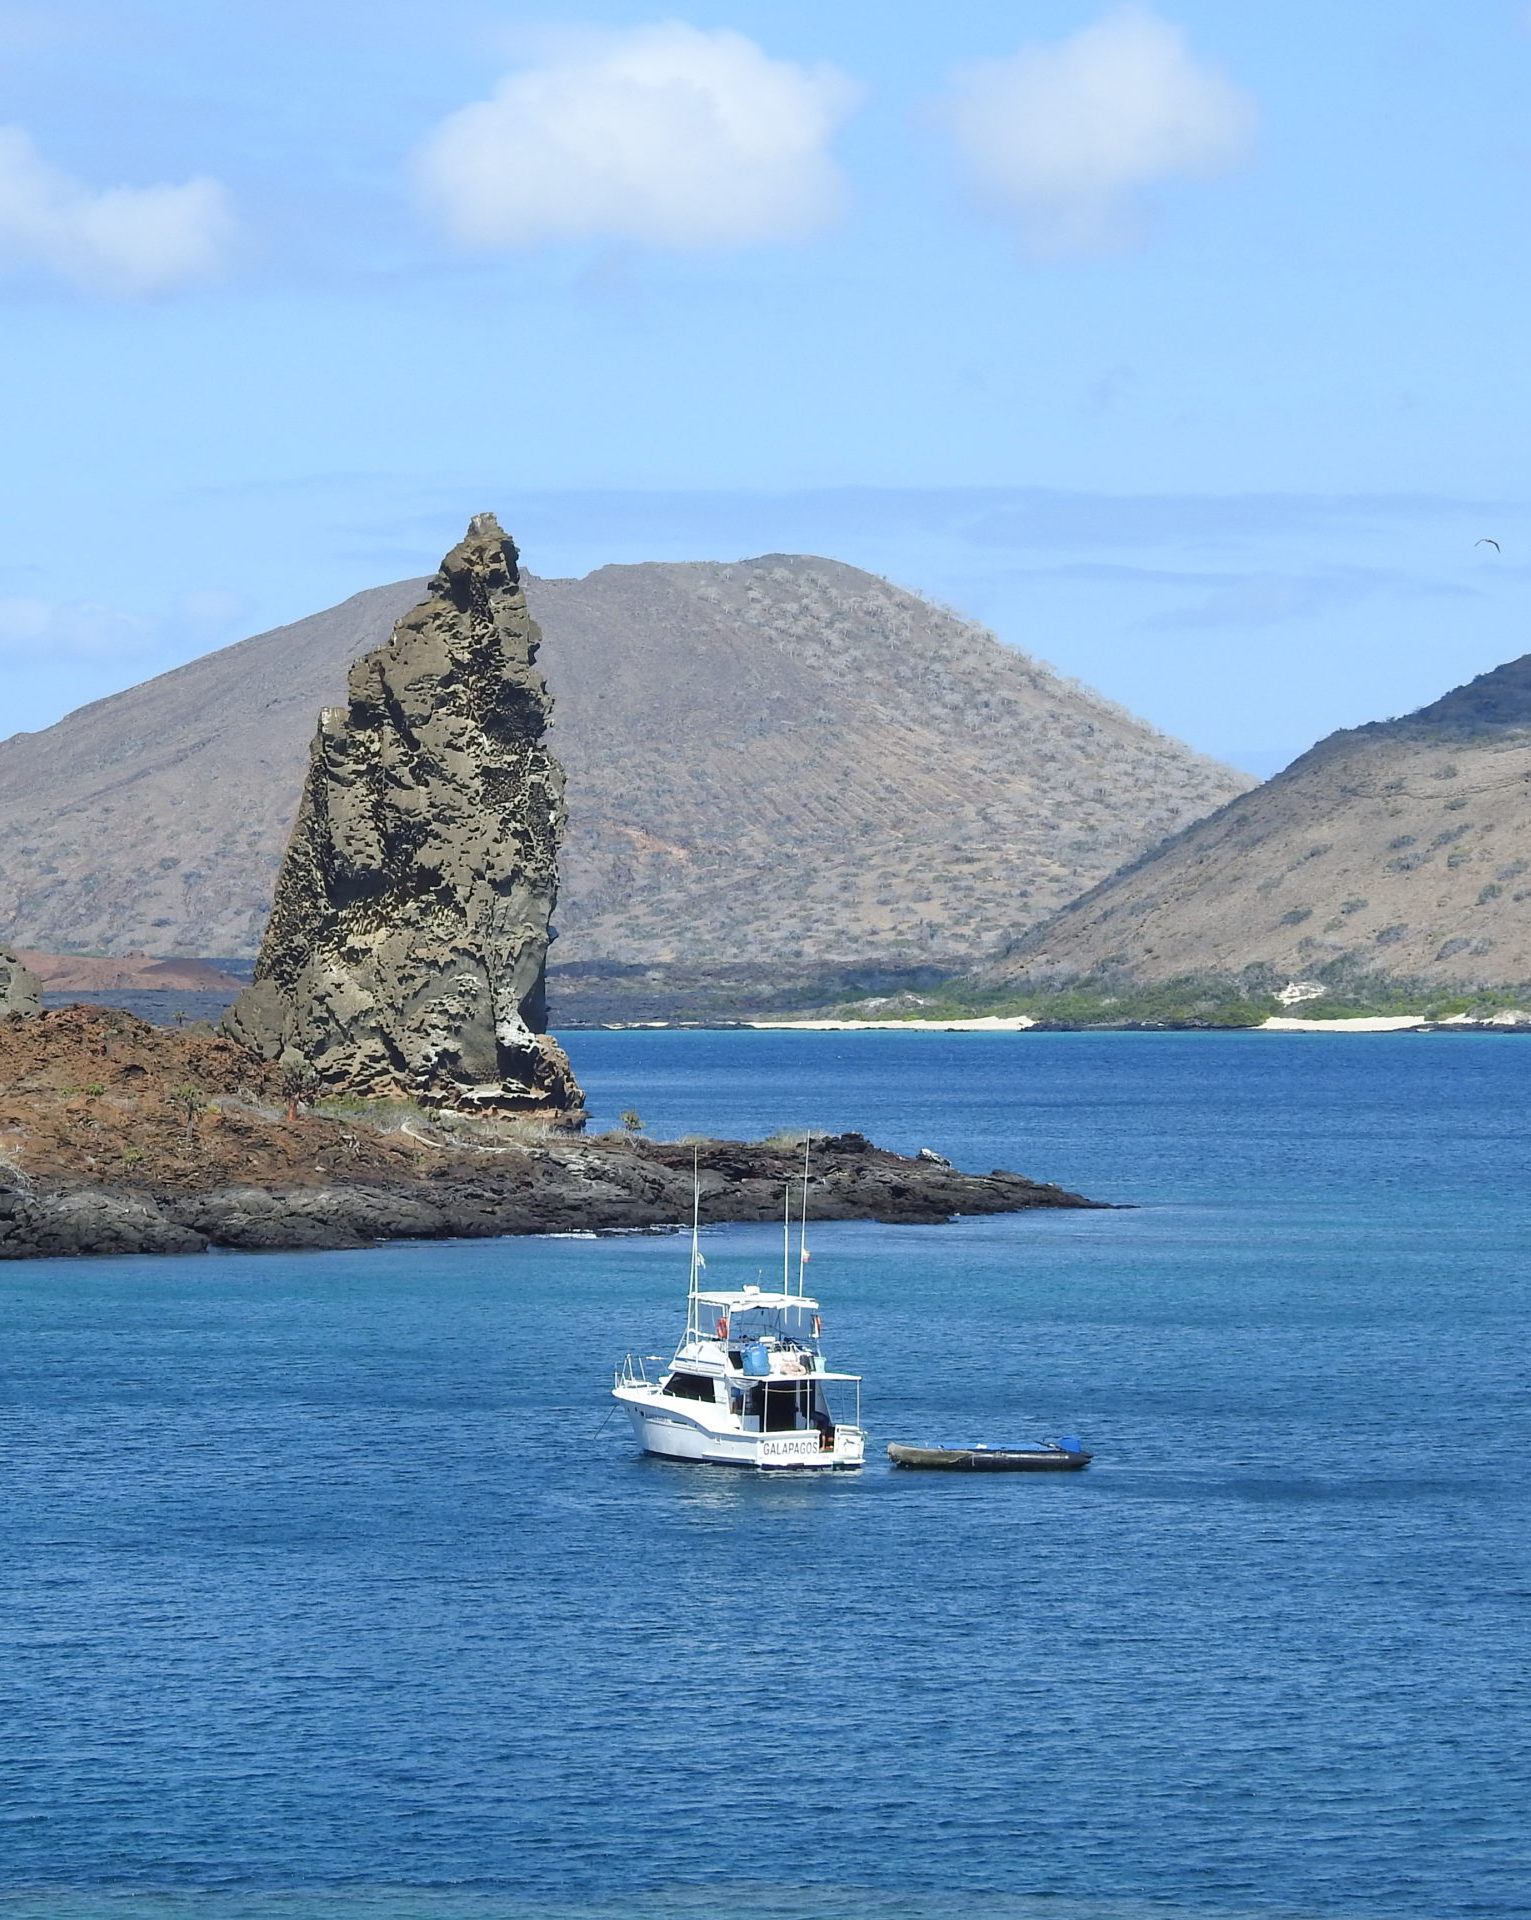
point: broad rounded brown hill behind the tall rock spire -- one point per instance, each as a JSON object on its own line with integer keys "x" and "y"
{"x": 781, "y": 761}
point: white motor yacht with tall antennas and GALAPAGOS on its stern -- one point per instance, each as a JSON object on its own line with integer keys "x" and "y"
{"x": 748, "y": 1385}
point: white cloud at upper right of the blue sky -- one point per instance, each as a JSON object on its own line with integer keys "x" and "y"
{"x": 1063, "y": 137}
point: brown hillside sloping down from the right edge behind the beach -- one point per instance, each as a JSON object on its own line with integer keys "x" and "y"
{"x": 1399, "y": 848}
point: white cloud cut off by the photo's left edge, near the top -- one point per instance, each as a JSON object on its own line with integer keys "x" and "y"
{"x": 120, "y": 241}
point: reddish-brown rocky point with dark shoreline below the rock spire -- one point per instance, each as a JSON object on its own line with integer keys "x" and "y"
{"x": 118, "y": 1138}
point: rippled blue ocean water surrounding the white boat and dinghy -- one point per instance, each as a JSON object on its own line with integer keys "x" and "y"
{"x": 331, "y": 1593}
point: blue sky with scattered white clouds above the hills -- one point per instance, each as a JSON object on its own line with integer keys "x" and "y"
{"x": 1182, "y": 345}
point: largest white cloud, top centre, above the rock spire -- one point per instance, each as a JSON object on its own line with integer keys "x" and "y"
{"x": 664, "y": 135}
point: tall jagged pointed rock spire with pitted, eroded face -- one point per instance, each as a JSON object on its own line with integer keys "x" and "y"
{"x": 410, "y": 928}
